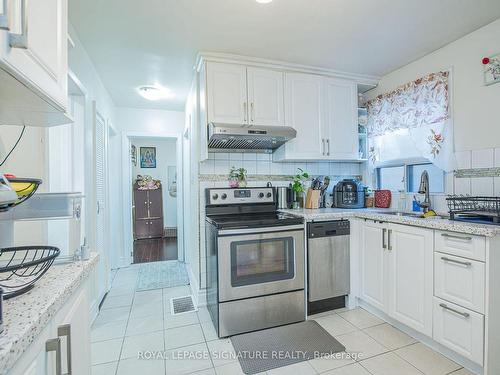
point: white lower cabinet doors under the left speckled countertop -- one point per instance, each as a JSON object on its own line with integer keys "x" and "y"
{"x": 64, "y": 345}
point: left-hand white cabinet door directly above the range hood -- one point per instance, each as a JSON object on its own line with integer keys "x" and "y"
{"x": 227, "y": 93}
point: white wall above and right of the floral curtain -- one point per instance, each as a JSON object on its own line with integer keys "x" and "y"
{"x": 475, "y": 106}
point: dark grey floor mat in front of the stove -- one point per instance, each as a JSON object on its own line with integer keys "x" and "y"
{"x": 282, "y": 346}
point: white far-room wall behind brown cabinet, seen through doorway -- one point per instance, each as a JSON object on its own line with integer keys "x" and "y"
{"x": 166, "y": 156}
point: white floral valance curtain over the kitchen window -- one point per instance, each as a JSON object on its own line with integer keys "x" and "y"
{"x": 416, "y": 115}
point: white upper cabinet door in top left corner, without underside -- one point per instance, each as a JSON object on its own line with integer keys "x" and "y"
{"x": 35, "y": 49}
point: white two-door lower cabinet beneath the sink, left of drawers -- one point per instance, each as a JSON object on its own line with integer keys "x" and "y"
{"x": 396, "y": 272}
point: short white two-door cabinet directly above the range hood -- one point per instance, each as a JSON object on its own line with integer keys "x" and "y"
{"x": 248, "y": 96}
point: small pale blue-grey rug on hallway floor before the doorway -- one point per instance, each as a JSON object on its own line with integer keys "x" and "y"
{"x": 159, "y": 275}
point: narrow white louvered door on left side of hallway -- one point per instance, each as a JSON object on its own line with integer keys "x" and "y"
{"x": 101, "y": 203}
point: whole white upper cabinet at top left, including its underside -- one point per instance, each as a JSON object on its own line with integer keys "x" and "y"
{"x": 33, "y": 51}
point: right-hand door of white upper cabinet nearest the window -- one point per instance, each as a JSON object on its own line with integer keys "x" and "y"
{"x": 341, "y": 119}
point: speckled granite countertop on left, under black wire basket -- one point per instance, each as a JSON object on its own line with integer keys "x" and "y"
{"x": 25, "y": 317}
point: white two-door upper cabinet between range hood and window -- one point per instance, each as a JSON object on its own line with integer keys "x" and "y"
{"x": 324, "y": 113}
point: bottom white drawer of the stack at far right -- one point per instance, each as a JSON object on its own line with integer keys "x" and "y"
{"x": 459, "y": 329}
